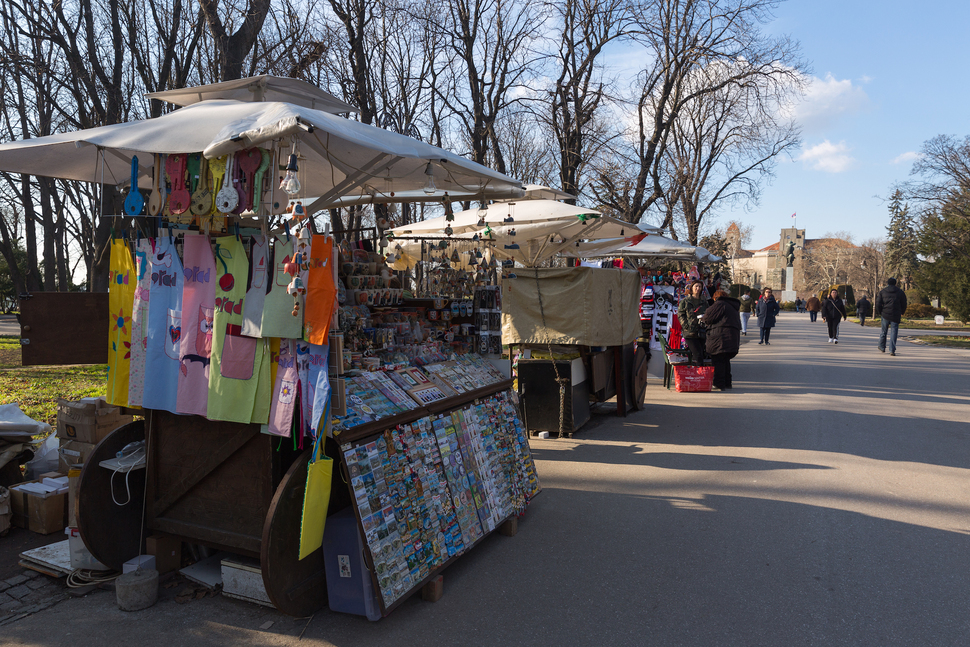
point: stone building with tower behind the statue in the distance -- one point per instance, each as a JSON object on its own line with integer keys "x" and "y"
{"x": 761, "y": 268}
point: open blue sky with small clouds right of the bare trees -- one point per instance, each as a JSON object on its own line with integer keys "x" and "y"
{"x": 887, "y": 76}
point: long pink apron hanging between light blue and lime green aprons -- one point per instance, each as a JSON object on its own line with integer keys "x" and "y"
{"x": 198, "y": 303}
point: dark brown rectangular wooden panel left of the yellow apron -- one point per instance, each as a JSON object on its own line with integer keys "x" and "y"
{"x": 64, "y": 328}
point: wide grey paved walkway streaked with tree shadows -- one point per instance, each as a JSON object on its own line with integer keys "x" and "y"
{"x": 825, "y": 500}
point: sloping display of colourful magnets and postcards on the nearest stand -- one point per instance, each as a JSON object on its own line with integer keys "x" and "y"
{"x": 434, "y": 479}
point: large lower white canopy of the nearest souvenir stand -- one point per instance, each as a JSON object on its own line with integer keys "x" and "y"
{"x": 339, "y": 156}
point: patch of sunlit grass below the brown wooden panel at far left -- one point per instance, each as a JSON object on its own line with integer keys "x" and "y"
{"x": 37, "y": 388}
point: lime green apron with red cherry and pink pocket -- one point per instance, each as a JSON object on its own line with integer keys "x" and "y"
{"x": 236, "y": 360}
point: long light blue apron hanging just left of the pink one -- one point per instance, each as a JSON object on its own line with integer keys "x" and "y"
{"x": 164, "y": 328}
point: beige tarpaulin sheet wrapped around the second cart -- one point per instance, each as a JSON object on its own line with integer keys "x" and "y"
{"x": 583, "y": 306}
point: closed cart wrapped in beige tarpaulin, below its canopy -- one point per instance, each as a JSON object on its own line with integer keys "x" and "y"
{"x": 589, "y": 314}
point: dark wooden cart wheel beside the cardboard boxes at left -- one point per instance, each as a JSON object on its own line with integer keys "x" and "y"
{"x": 112, "y": 532}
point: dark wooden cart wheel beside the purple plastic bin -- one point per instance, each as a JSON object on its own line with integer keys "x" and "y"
{"x": 296, "y": 587}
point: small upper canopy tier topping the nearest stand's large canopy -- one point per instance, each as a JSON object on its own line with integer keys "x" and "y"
{"x": 258, "y": 88}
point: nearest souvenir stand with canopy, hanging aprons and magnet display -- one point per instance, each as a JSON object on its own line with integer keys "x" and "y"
{"x": 231, "y": 340}
